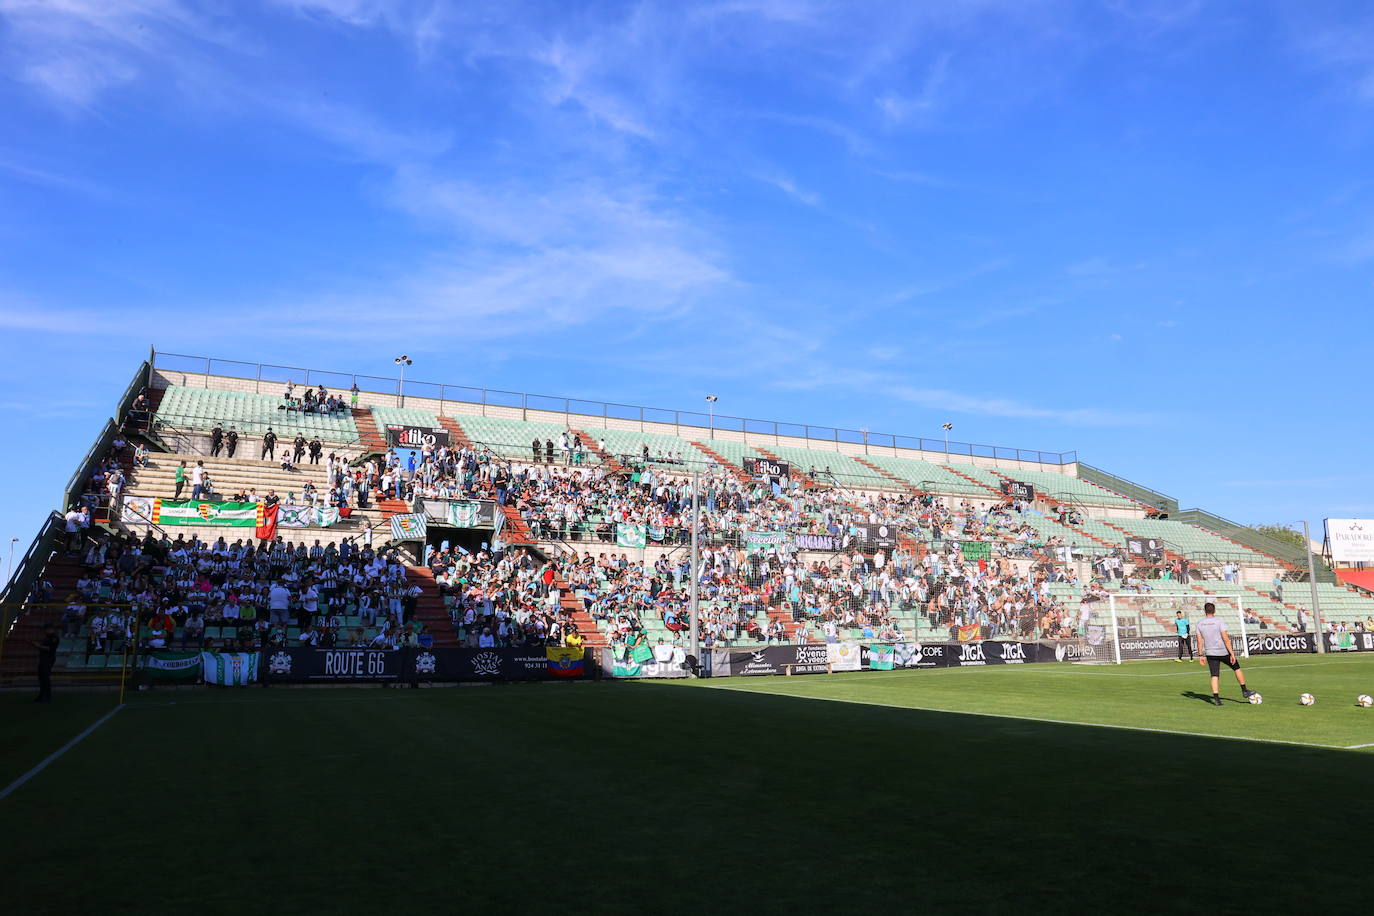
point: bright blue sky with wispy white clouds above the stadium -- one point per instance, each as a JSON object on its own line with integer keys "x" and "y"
{"x": 1136, "y": 230}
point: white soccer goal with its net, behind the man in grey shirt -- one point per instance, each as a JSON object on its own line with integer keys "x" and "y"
{"x": 1130, "y": 627}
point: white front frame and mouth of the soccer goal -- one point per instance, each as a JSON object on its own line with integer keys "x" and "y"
{"x": 1142, "y": 626}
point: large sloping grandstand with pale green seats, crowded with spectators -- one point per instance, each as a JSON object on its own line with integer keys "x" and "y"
{"x": 938, "y": 502}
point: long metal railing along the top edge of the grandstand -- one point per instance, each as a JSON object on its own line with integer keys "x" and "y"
{"x": 274, "y": 377}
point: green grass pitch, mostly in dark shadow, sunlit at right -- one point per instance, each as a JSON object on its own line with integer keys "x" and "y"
{"x": 919, "y": 790}
